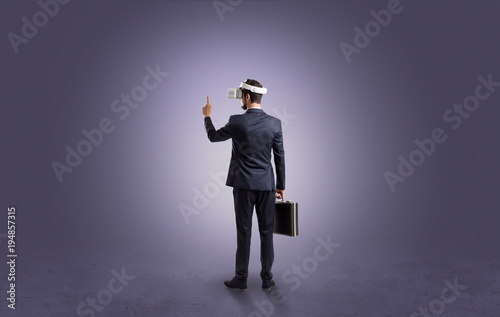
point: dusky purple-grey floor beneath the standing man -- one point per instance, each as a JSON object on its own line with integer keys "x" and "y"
{"x": 352, "y": 281}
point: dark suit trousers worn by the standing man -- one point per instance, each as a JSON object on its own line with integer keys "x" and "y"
{"x": 244, "y": 202}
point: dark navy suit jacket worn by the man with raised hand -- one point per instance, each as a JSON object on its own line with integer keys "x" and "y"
{"x": 255, "y": 134}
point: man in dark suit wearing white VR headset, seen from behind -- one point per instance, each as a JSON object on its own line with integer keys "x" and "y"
{"x": 254, "y": 135}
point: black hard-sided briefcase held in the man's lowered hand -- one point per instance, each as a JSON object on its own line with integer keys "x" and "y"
{"x": 286, "y": 220}
